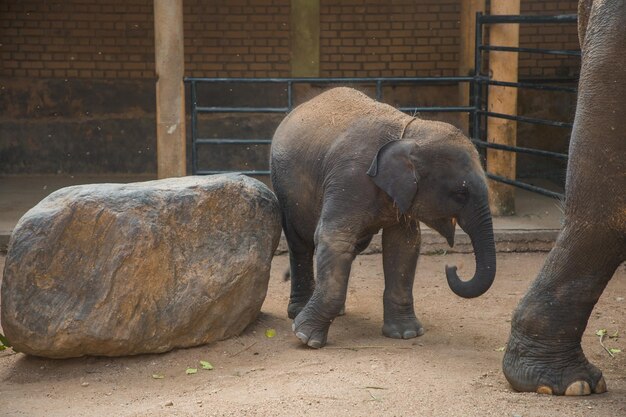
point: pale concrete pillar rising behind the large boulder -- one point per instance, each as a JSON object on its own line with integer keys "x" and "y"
{"x": 170, "y": 90}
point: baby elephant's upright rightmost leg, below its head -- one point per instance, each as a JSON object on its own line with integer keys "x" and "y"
{"x": 401, "y": 244}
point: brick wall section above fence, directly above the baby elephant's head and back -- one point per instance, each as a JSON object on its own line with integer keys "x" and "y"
{"x": 389, "y": 38}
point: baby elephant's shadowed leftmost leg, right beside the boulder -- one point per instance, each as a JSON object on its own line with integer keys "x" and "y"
{"x": 301, "y": 270}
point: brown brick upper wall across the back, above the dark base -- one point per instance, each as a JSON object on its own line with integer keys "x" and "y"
{"x": 250, "y": 38}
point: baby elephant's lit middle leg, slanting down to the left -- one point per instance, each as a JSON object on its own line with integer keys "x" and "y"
{"x": 333, "y": 265}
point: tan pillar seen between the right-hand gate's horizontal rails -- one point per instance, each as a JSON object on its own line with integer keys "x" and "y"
{"x": 503, "y": 67}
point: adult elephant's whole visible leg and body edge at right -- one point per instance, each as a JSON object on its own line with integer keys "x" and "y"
{"x": 544, "y": 352}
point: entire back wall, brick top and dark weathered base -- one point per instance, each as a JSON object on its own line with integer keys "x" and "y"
{"x": 77, "y": 76}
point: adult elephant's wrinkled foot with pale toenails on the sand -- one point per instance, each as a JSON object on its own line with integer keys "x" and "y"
{"x": 559, "y": 369}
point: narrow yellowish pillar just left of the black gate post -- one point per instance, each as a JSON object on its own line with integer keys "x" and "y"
{"x": 467, "y": 30}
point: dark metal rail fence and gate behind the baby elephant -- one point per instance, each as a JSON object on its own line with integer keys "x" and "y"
{"x": 477, "y": 108}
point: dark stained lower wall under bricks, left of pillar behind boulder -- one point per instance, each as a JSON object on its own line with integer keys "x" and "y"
{"x": 77, "y": 126}
